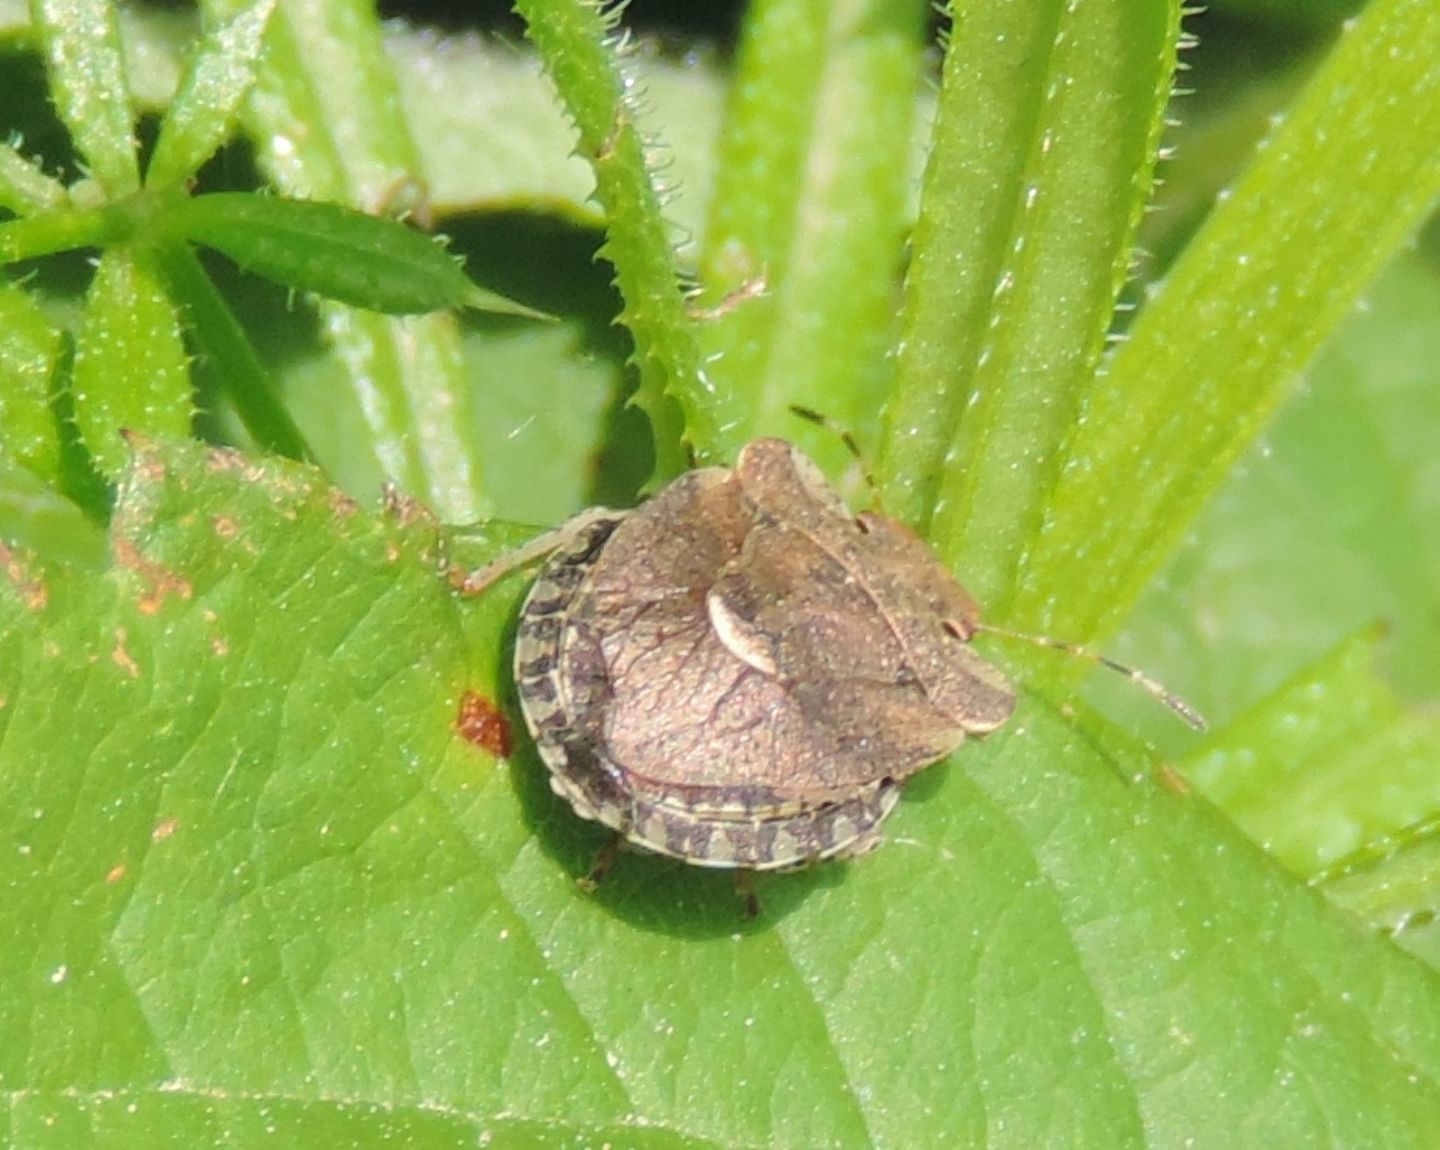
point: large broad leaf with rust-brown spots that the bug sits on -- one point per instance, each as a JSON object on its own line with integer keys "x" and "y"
{"x": 258, "y": 871}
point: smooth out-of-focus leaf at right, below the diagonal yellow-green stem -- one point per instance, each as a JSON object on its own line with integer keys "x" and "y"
{"x": 1330, "y": 525}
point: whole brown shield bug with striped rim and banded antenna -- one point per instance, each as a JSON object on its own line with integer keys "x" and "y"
{"x": 741, "y": 673}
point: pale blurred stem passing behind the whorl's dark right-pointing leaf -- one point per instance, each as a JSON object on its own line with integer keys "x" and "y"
{"x": 328, "y": 124}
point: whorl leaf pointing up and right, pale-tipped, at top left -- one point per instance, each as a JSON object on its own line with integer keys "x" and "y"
{"x": 205, "y": 109}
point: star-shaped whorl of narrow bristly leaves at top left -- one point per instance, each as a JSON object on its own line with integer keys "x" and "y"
{"x": 142, "y": 382}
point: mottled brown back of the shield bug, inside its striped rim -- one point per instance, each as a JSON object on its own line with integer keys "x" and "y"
{"x": 747, "y": 651}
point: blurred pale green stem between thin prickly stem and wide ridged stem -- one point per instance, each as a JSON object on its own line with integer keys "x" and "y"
{"x": 810, "y": 201}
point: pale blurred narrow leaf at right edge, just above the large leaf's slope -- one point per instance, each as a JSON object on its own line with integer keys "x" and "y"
{"x": 1328, "y": 764}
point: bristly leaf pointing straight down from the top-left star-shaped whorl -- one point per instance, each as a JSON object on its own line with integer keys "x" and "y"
{"x": 130, "y": 371}
